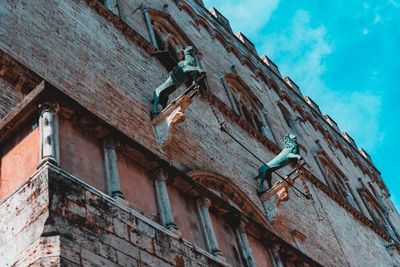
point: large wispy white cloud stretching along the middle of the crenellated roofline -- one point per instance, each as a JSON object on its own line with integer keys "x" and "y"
{"x": 300, "y": 51}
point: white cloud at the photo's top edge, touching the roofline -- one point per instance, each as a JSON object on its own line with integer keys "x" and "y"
{"x": 247, "y": 16}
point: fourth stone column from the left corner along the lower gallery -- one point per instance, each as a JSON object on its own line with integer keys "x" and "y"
{"x": 203, "y": 205}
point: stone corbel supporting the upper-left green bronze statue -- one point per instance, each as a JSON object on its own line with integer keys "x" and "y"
{"x": 168, "y": 118}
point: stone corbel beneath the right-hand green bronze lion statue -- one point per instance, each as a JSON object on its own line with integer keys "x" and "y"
{"x": 273, "y": 198}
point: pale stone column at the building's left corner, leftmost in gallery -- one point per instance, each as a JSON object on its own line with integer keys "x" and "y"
{"x": 48, "y": 129}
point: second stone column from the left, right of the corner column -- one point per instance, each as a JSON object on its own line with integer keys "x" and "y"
{"x": 111, "y": 164}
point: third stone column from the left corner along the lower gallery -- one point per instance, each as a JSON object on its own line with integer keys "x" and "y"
{"x": 163, "y": 203}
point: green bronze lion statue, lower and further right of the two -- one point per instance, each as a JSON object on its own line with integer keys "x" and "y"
{"x": 289, "y": 154}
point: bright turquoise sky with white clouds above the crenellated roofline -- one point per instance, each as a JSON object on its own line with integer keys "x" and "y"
{"x": 345, "y": 55}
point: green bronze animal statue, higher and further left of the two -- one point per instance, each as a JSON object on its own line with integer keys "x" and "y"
{"x": 187, "y": 70}
